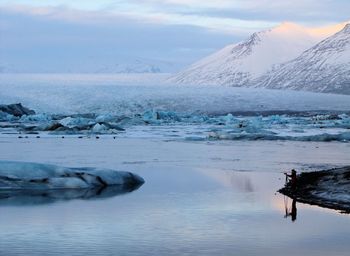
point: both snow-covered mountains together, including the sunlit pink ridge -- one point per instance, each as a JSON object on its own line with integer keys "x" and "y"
{"x": 286, "y": 57}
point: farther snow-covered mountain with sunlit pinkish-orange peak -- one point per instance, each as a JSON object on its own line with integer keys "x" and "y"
{"x": 239, "y": 64}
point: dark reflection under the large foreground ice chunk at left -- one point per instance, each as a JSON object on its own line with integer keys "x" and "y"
{"x": 38, "y": 197}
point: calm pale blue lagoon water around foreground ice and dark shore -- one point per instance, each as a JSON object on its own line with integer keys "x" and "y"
{"x": 201, "y": 198}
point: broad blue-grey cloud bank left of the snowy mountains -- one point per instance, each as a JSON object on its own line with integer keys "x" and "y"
{"x": 52, "y": 39}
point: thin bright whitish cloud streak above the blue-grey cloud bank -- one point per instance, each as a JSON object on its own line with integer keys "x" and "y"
{"x": 218, "y": 24}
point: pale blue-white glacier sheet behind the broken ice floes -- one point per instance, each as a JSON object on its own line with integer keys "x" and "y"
{"x": 47, "y": 94}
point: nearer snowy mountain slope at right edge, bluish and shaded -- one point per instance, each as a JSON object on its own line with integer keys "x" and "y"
{"x": 324, "y": 68}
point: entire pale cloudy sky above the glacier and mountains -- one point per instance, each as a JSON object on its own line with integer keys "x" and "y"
{"x": 59, "y": 33}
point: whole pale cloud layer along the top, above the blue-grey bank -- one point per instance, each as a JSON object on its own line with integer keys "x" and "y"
{"x": 223, "y": 16}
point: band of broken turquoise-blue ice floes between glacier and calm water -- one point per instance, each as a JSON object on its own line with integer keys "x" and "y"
{"x": 300, "y": 126}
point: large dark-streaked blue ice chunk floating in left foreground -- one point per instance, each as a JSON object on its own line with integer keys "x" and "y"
{"x": 21, "y": 175}
